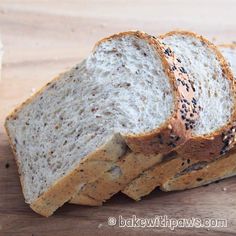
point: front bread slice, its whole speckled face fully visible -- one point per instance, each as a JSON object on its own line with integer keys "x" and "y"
{"x": 78, "y": 126}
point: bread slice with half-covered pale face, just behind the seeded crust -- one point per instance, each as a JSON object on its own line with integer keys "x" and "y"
{"x": 210, "y": 136}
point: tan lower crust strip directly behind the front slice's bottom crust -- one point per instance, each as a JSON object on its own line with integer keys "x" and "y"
{"x": 128, "y": 168}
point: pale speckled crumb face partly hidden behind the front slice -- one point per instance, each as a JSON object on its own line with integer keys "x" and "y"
{"x": 205, "y": 71}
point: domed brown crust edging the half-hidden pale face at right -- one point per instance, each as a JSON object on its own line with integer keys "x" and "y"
{"x": 219, "y": 142}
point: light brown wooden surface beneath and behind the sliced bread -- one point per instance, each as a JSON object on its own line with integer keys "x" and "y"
{"x": 43, "y": 38}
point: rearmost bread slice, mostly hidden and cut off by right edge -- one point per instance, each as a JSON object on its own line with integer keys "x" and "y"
{"x": 204, "y": 173}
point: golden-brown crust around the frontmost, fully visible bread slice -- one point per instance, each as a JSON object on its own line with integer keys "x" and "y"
{"x": 88, "y": 170}
